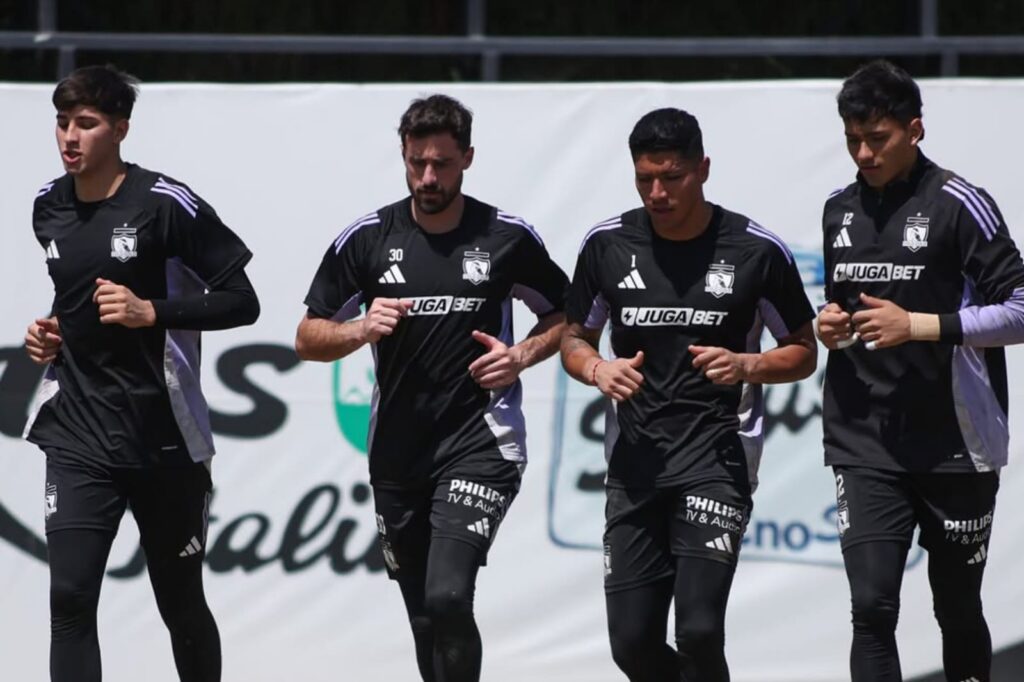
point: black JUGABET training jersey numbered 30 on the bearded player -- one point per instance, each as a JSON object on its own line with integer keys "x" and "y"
{"x": 428, "y": 412}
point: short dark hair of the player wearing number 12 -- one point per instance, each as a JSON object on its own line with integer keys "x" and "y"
{"x": 878, "y": 91}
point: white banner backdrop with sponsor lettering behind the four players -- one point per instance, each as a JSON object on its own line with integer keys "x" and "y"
{"x": 294, "y": 575}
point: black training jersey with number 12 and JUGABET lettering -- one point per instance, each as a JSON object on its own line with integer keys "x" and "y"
{"x": 932, "y": 244}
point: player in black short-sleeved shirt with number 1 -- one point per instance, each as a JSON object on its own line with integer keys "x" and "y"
{"x": 688, "y": 287}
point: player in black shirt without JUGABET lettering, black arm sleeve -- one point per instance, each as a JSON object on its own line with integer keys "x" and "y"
{"x": 141, "y": 266}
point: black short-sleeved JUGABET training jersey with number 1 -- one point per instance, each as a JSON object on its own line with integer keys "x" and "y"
{"x": 662, "y": 296}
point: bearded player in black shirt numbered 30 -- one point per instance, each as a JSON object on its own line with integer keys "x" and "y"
{"x": 438, "y": 272}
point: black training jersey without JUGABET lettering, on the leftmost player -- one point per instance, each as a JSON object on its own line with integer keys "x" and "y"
{"x": 129, "y": 398}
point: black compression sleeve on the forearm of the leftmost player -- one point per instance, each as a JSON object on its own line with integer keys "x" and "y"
{"x": 234, "y": 304}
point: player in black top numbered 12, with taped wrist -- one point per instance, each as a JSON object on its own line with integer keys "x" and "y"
{"x": 924, "y": 287}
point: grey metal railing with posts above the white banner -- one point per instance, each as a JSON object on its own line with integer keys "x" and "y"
{"x": 491, "y": 50}
